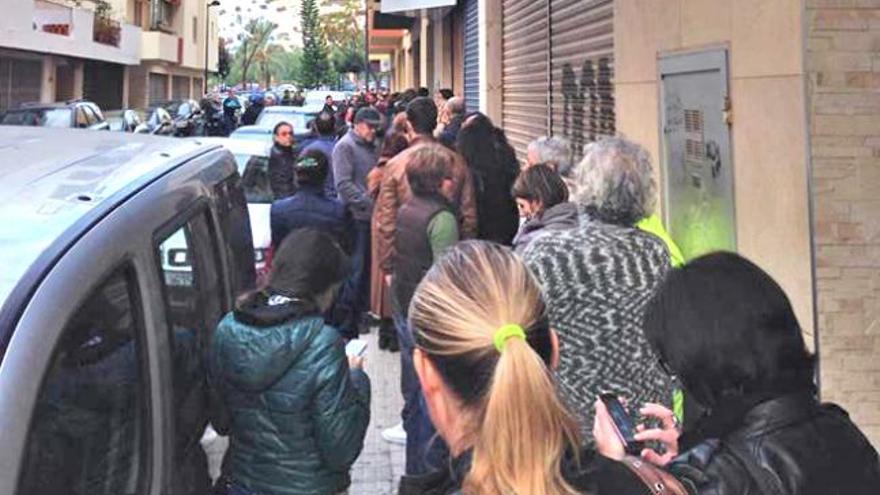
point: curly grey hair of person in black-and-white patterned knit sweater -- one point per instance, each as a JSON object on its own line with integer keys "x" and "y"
{"x": 615, "y": 181}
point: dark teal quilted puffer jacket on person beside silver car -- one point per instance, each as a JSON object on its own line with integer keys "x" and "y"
{"x": 295, "y": 414}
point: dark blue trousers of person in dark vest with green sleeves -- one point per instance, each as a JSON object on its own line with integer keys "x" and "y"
{"x": 425, "y": 450}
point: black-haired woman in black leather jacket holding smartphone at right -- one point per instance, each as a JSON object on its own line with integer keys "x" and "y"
{"x": 728, "y": 332}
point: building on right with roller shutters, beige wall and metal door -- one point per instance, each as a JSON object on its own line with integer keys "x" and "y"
{"x": 762, "y": 118}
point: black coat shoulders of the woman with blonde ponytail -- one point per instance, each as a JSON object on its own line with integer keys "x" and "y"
{"x": 597, "y": 475}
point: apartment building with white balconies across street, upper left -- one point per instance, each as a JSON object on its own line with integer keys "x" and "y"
{"x": 131, "y": 54}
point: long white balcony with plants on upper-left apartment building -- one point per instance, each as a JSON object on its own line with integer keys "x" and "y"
{"x": 53, "y": 27}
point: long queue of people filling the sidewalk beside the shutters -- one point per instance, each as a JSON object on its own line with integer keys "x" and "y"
{"x": 517, "y": 295}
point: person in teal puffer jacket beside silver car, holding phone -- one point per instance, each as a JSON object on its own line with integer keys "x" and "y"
{"x": 295, "y": 407}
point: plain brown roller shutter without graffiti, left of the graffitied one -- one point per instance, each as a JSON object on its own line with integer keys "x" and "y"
{"x": 525, "y": 75}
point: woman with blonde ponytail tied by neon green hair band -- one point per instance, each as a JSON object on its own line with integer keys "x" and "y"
{"x": 484, "y": 357}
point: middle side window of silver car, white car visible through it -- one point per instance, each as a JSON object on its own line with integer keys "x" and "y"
{"x": 194, "y": 304}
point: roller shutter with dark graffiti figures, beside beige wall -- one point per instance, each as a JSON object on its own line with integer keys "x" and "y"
{"x": 582, "y": 58}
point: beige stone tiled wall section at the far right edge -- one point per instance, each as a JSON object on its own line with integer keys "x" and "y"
{"x": 843, "y": 78}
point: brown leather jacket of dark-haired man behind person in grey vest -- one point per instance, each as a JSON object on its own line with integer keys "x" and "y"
{"x": 394, "y": 191}
